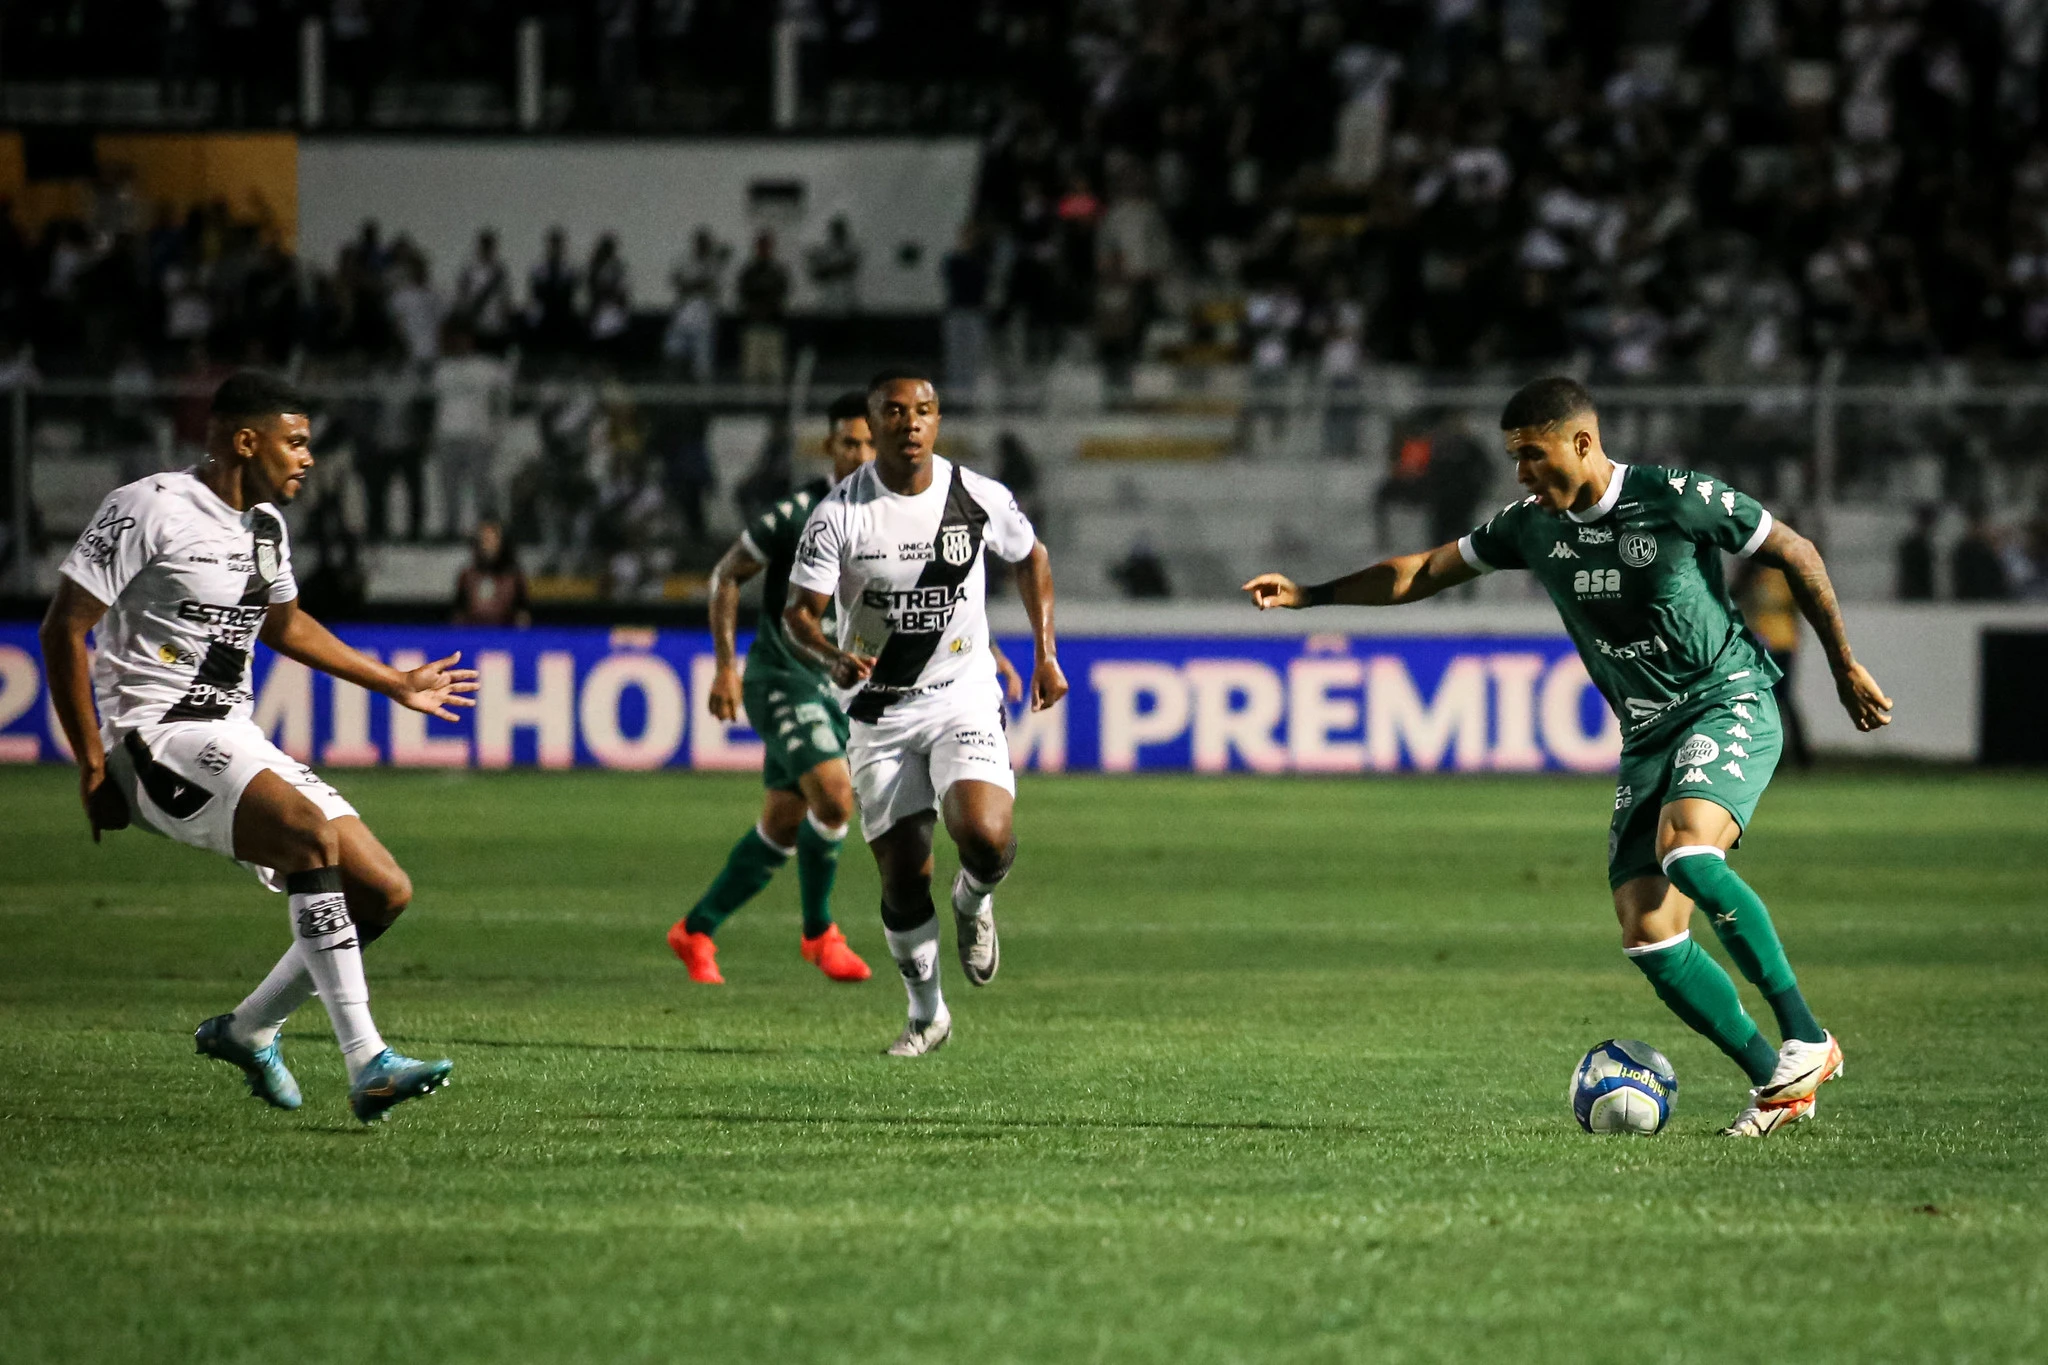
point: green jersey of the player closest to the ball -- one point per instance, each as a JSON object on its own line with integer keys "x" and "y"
{"x": 1637, "y": 580}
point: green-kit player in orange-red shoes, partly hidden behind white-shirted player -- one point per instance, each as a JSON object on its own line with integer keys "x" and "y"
{"x": 792, "y": 705}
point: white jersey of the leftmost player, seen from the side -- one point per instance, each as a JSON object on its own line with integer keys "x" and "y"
{"x": 187, "y": 582}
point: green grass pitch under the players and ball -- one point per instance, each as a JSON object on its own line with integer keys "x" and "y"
{"x": 1273, "y": 1071}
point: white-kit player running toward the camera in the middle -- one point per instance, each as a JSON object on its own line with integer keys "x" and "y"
{"x": 900, "y": 545}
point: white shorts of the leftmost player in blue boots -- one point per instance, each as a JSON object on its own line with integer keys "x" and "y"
{"x": 189, "y": 777}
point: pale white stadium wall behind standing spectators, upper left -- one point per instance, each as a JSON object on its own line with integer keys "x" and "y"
{"x": 904, "y": 197}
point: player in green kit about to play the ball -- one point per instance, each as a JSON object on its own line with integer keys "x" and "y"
{"x": 1631, "y": 558}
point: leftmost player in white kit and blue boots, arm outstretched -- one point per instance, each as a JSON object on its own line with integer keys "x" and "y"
{"x": 183, "y": 574}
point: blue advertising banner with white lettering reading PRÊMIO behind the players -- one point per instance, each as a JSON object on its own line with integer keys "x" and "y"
{"x": 636, "y": 699}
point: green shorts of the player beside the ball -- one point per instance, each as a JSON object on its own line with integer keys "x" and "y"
{"x": 1723, "y": 754}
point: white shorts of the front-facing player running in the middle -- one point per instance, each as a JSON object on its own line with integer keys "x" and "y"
{"x": 906, "y": 762}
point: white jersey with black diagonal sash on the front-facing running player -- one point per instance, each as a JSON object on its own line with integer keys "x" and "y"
{"x": 910, "y": 566}
